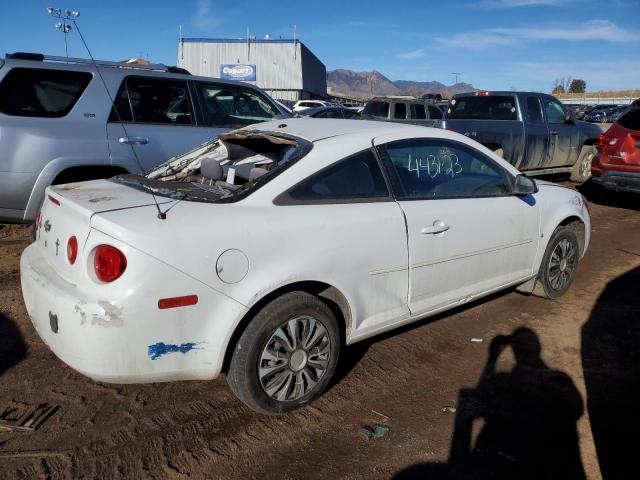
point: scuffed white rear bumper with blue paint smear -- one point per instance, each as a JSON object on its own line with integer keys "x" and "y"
{"x": 128, "y": 339}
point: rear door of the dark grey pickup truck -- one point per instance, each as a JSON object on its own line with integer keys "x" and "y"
{"x": 537, "y": 136}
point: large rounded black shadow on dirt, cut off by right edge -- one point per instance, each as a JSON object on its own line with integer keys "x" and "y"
{"x": 611, "y": 364}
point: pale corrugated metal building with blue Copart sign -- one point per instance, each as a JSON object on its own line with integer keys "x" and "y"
{"x": 286, "y": 69}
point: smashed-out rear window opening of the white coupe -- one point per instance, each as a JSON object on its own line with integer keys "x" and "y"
{"x": 225, "y": 169}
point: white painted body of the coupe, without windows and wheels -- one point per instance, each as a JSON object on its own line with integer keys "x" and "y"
{"x": 372, "y": 258}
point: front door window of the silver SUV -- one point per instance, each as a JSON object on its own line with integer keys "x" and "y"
{"x": 232, "y": 107}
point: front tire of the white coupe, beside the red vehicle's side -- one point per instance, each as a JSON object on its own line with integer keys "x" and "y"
{"x": 547, "y": 285}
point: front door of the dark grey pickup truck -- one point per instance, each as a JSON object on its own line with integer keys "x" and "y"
{"x": 562, "y": 148}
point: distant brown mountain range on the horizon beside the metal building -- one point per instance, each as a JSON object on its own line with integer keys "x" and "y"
{"x": 366, "y": 84}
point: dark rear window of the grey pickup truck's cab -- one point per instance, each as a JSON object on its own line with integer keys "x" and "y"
{"x": 499, "y": 107}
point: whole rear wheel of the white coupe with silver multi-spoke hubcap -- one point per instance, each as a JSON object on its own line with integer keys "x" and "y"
{"x": 286, "y": 356}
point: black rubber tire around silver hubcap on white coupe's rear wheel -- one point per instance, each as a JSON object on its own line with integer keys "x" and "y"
{"x": 244, "y": 377}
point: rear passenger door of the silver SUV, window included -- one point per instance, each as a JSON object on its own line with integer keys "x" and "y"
{"x": 154, "y": 119}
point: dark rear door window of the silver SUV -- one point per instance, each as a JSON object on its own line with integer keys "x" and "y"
{"x": 153, "y": 100}
